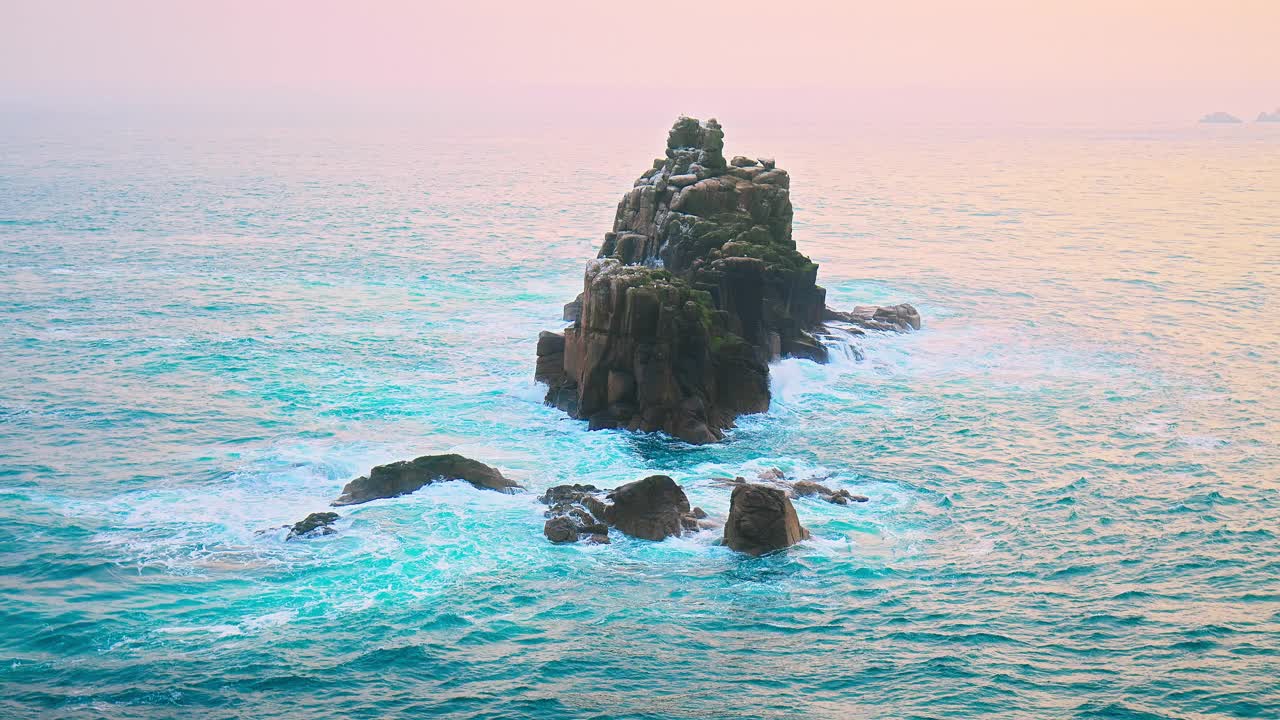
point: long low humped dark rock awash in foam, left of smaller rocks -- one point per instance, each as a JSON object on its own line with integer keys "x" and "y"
{"x": 409, "y": 476}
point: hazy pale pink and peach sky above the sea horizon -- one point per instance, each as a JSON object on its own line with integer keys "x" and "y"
{"x": 947, "y": 61}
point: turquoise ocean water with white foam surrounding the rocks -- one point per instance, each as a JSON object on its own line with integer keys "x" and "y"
{"x": 1073, "y": 470}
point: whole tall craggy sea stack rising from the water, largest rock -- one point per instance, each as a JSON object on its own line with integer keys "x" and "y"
{"x": 696, "y": 290}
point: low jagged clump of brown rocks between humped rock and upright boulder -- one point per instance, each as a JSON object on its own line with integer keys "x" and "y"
{"x": 652, "y": 509}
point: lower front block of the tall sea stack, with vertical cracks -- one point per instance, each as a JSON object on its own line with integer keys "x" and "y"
{"x": 648, "y": 353}
